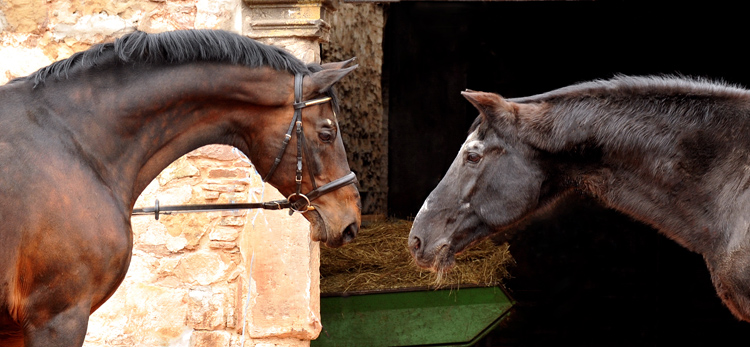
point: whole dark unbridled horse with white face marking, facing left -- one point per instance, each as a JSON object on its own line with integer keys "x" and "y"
{"x": 671, "y": 152}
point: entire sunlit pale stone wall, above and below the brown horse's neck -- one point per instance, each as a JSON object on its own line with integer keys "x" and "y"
{"x": 244, "y": 278}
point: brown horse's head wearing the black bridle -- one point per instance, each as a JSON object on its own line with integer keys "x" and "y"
{"x": 334, "y": 214}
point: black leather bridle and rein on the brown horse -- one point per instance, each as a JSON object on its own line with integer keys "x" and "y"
{"x": 296, "y": 202}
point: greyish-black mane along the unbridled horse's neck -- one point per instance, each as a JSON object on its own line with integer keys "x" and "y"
{"x": 629, "y": 112}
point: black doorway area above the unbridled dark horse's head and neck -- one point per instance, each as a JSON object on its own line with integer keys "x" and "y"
{"x": 434, "y": 50}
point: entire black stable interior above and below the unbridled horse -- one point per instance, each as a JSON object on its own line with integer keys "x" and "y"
{"x": 585, "y": 275}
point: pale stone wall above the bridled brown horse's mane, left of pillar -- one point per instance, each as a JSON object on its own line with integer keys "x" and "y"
{"x": 35, "y": 33}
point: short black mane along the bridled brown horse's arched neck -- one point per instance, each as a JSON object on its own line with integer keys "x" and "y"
{"x": 173, "y": 47}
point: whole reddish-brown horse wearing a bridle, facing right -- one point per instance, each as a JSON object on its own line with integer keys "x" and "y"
{"x": 81, "y": 138}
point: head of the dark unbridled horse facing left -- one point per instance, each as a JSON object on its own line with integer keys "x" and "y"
{"x": 494, "y": 182}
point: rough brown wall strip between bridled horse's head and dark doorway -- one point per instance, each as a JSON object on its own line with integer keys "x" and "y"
{"x": 357, "y": 31}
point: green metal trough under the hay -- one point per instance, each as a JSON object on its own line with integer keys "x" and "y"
{"x": 458, "y": 317}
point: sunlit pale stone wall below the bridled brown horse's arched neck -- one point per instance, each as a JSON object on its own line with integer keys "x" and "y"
{"x": 189, "y": 279}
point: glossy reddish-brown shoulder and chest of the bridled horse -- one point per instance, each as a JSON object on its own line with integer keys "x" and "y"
{"x": 55, "y": 212}
